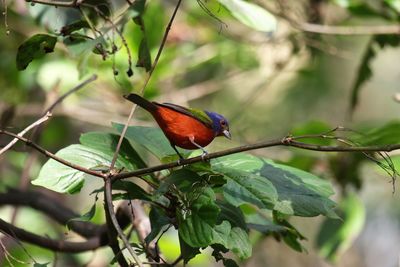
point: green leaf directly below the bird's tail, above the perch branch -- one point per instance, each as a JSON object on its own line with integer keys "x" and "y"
{"x": 153, "y": 139}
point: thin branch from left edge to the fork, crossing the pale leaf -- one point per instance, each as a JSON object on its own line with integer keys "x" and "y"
{"x": 52, "y": 156}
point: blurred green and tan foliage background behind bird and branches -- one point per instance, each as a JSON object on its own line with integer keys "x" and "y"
{"x": 268, "y": 79}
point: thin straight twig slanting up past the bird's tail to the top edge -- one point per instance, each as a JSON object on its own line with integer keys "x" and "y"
{"x": 167, "y": 29}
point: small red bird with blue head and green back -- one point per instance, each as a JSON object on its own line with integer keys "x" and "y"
{"x": 185, "y": 127}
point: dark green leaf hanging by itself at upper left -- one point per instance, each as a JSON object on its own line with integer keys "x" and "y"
{"x": 33, "y": 48}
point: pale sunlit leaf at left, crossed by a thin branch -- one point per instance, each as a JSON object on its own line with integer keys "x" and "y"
{"x": 63, "y": 179}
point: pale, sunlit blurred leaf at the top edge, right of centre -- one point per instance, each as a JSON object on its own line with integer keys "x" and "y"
{"x": 251, "y": 15}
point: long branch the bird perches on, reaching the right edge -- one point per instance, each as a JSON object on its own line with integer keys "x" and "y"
{"x": 287, "y": 141}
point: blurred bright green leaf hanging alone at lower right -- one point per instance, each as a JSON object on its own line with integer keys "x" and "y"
{"x": 336, "y": 236}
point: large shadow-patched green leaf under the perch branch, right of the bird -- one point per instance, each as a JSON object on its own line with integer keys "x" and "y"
{"x": 269, "y": 185}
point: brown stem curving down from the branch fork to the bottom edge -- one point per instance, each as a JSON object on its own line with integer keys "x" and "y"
{"x": 111, "y": 213}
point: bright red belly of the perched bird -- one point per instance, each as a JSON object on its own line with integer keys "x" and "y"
{"x": 179, "y": 128}
